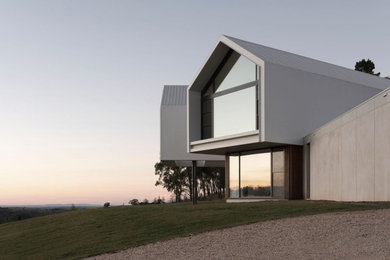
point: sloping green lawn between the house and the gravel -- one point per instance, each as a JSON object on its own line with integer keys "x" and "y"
{"x": 77, "y": 234}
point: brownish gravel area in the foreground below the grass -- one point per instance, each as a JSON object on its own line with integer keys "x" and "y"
{"x": 350, "y": 235}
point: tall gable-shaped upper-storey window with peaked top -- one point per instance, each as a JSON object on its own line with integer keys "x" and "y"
{"x": 230, "y": 101}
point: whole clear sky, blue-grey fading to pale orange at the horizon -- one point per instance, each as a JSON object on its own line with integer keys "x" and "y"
{"x": 81, "y": 81}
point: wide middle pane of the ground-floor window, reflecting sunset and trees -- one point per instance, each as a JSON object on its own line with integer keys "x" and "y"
{"x": 256, "y": 175}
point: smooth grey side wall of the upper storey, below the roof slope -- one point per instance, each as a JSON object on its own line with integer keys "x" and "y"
{"x": 298, "y": 102}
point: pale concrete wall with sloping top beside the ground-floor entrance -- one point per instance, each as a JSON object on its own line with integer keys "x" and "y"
{"x": 350, "y": 156}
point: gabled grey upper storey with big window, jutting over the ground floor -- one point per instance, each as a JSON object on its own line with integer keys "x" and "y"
{"x": 248, "y": 96}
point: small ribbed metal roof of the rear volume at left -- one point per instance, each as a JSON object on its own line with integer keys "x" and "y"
{"x": 174, "y": 95}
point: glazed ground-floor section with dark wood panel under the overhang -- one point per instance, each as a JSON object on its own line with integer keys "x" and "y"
{"x": 274, "y": 173}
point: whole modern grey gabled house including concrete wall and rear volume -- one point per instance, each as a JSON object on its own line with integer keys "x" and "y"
{"x": 286, "y": 126}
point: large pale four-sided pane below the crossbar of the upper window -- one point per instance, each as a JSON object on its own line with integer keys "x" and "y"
{"x": 235, "y": 113}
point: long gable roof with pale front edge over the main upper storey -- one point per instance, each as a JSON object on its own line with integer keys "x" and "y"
{"x": 260, "y": 54}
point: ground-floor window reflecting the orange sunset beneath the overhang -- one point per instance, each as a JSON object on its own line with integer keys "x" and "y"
{"x": 257, "y": 174}
